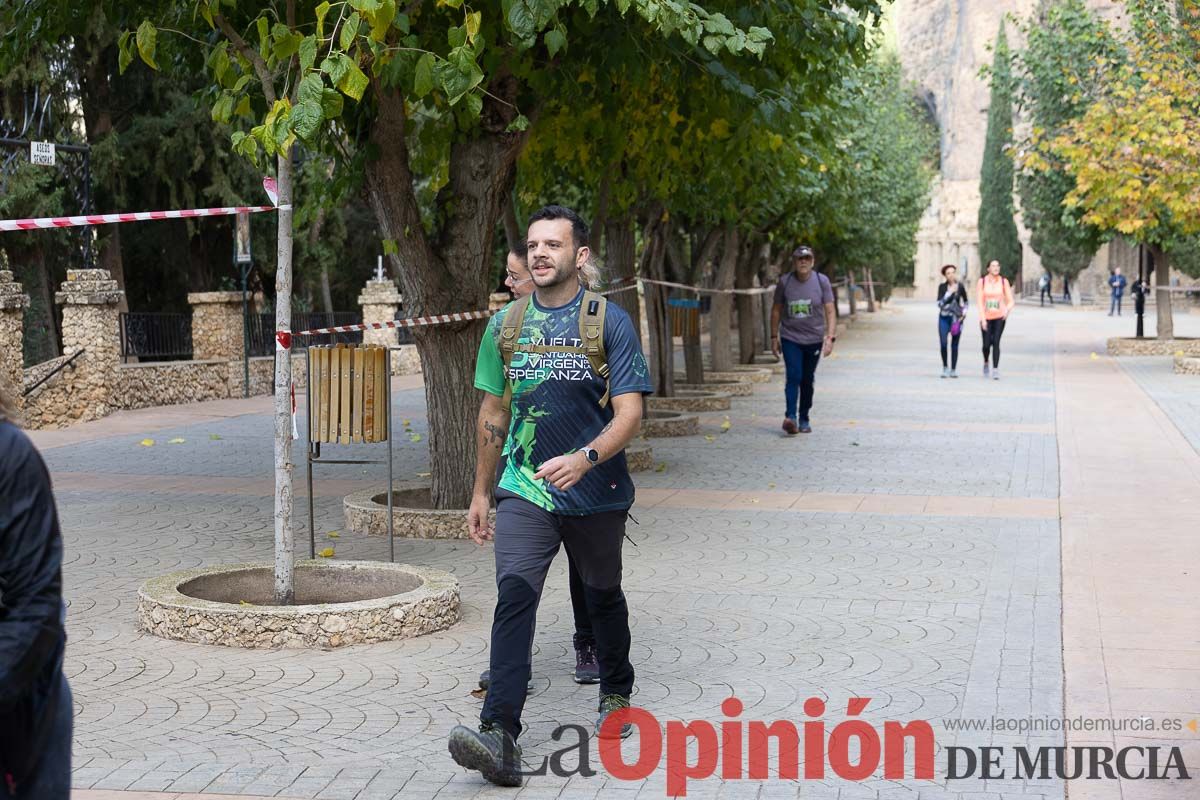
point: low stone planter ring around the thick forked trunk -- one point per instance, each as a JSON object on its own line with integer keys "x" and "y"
{"x": 413, "y": 514}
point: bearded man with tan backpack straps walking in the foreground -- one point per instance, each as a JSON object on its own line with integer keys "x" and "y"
{"x": 563, "y": 377}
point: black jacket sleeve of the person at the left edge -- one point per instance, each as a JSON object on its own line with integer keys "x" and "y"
{"x": 32, "y": 634}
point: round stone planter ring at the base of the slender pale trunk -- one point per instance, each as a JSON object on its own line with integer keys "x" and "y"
{"x": 338, "y": 604}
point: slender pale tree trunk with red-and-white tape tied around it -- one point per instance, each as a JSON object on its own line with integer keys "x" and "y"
{"x": 285, "y": 587}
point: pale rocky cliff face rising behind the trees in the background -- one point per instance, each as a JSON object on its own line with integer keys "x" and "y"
{"x": 943, "y": 47}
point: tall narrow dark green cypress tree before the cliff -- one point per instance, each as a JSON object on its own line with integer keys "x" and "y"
{"x": 998, "y": 215}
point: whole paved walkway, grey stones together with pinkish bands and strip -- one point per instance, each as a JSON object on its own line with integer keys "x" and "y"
{"x": 909, "y": 552}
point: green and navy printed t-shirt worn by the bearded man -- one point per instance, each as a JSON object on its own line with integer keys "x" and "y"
{"x": 556, "y": 405}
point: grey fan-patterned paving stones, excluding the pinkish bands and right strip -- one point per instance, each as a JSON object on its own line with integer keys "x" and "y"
{"x": 931, "y": 617}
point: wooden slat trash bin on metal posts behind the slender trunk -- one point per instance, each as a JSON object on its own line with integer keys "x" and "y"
{"x": 350, "y": 402}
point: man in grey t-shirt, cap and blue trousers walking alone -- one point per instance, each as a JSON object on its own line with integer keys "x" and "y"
{"x": 803, "y": 323}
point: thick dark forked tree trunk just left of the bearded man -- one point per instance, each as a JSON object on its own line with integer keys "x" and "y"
{"x": 448, "y": 272}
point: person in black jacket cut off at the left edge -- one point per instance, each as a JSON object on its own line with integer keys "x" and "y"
{"x": 35, "y": 700}
